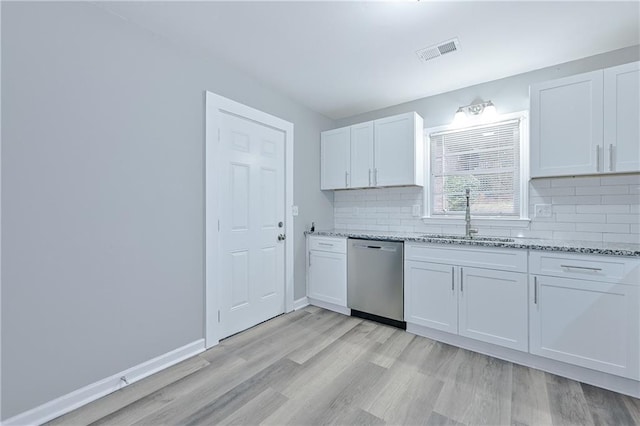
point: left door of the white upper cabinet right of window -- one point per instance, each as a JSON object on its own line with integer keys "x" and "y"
{"x": 566, "y": 126}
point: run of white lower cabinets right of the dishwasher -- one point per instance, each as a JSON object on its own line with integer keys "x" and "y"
{"x": 572, "y": 314}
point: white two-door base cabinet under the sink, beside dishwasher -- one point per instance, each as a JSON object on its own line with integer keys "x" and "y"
{"x": 484, "y": 304}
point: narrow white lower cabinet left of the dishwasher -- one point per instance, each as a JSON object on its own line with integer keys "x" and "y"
{"x": 327, "y": 270}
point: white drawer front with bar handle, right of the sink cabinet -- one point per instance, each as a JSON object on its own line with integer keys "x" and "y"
{"x": 616, "y": 269}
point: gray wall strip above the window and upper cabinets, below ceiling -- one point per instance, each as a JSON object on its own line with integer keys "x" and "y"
{"x": 509, "y": 94}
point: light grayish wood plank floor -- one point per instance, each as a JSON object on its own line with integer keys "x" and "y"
{"x": 313, "y": 366}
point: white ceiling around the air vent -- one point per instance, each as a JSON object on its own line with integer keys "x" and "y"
{"x": 345, "y": 58}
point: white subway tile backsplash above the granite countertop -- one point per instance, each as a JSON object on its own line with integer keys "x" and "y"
{"x": 591, "y": 208}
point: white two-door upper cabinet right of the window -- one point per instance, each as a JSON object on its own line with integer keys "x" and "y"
{"x": 586, "y": 124}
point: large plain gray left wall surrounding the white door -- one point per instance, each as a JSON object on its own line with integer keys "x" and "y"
{"x": 103, "y": 194}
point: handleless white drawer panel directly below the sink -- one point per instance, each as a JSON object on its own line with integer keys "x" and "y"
{"x": 514, "y": 260}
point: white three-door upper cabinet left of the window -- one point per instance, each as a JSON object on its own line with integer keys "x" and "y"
{"x": 384, "y": 152}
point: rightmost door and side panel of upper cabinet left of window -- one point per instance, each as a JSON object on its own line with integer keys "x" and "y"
{"x": 398, "y": 150}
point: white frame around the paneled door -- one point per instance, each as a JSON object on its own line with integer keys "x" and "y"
{"x": 215, "y": 105}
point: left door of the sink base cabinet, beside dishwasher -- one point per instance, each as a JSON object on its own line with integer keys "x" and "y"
{"x": 430, "y": 297}
